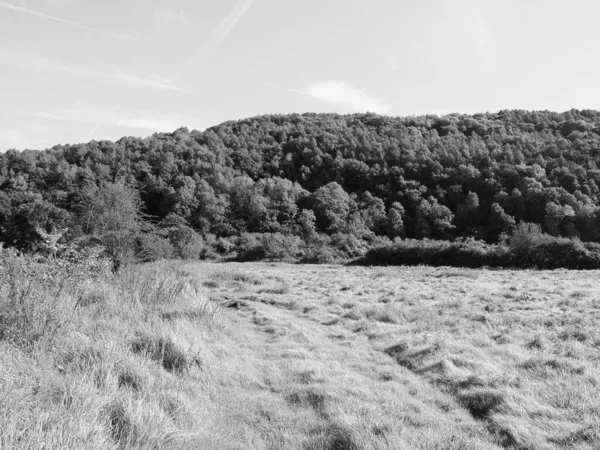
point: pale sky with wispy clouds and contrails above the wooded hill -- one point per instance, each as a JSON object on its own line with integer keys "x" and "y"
{"x": 80, "y": 70}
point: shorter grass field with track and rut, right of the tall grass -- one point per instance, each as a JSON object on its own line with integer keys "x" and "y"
{"x": 415, "y": 358}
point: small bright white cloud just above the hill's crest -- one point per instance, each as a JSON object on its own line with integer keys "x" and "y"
{"x": 346, "y": 96}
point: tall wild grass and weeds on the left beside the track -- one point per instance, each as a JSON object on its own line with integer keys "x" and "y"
{"x": 87, "y": 359}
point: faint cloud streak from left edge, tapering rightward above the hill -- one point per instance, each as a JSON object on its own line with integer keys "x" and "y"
{"x": 34, "y": 62}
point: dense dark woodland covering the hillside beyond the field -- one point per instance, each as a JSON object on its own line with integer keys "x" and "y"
{"x": 342, "y": 181}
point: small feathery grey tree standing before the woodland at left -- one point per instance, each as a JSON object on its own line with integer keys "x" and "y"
{"x": 112, "y": 214}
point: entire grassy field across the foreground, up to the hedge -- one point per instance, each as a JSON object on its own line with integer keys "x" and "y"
{"x": 277, "y": 356}
